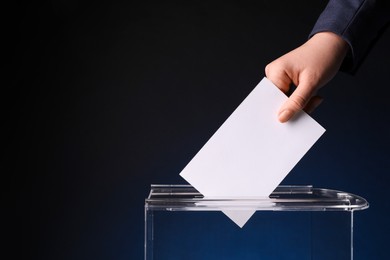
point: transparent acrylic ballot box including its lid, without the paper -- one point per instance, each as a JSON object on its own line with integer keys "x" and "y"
{"x": 295, "y": 222}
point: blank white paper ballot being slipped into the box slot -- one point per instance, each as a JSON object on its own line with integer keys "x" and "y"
{"x": 252, "y": 152}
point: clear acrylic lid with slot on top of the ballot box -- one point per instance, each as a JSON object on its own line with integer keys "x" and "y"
{"x": 284, "y": 198}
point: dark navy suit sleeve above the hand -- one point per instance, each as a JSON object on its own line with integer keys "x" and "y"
{"x": 358, "y": 22}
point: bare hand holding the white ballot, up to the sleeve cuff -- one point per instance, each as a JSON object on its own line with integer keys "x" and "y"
{"x": 309, "y": 67}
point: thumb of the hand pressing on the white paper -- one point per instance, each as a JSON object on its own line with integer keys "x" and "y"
{"x": 296, "y": 102}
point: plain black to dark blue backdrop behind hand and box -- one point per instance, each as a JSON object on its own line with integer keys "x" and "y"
{"x": 107, "y": 98}
